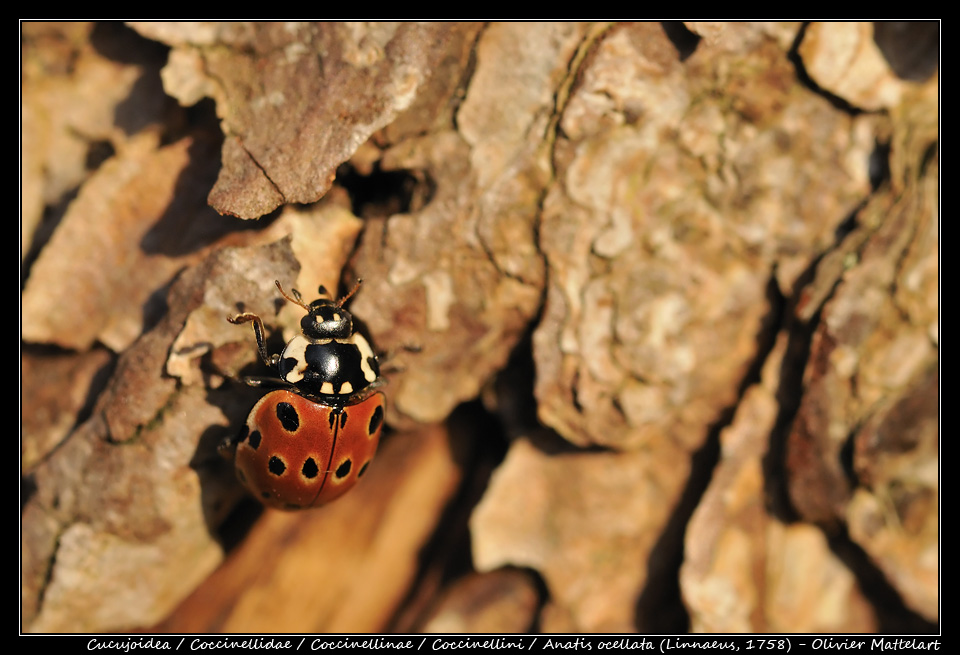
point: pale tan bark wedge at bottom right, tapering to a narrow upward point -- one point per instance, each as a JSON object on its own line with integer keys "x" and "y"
{"x": 744, "y": 569}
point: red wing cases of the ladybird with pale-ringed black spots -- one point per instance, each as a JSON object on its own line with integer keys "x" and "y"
{"x": 296, "y": 453}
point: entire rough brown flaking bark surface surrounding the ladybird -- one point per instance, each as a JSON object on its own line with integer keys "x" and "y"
{"x": 659, "y": 305}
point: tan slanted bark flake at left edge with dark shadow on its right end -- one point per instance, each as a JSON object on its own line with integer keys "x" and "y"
{"x": 136, "y": 222}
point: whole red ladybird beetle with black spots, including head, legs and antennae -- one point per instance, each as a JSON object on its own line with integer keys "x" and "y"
{"x": 309, "y": 441}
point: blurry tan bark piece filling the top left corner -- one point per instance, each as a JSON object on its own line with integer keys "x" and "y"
{"x": 80, "y": 103}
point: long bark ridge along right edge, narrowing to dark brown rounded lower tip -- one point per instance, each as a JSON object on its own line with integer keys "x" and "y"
{"x": 877, "y": 333}
